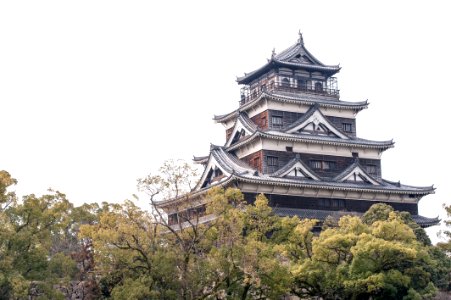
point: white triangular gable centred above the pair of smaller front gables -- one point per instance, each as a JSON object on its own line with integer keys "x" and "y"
{"x": 317, "y": 124}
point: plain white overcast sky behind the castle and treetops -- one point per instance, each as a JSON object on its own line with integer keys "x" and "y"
{"x": 94, "y": 94}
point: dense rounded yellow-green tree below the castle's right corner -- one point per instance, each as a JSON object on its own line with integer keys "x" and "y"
{"x": 382, "y": 260}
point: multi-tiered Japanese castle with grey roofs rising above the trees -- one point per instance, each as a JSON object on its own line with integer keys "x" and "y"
{"x": 293, "y": 140}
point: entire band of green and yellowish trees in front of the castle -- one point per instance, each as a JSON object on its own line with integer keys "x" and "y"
{"x": 244, "y": 251}
